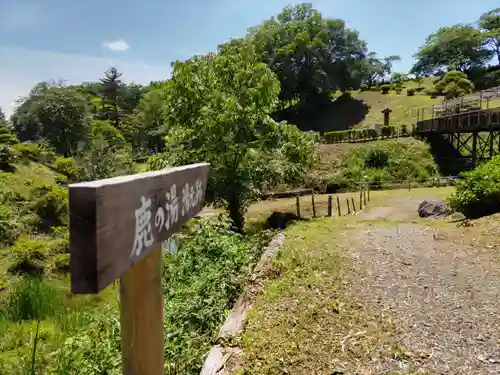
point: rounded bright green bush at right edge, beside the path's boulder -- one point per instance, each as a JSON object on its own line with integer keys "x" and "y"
{"x": 478, "y": 194}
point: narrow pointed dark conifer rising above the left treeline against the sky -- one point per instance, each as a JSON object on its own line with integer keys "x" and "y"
{"x": 110, "y": 93}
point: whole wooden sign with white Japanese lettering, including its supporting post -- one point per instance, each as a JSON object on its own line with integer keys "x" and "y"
{"x": 117, "y": 227}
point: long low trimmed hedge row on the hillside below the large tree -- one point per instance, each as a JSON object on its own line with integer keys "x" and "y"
{"x": 355, "y": 135}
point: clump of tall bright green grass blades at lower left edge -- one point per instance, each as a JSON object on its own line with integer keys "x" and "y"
{"x": 32, "y": 299}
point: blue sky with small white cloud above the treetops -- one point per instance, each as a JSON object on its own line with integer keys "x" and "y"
{"x": 78, "y": 40}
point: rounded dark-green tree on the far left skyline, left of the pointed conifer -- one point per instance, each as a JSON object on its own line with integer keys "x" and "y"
{"x": 54, "y": 113}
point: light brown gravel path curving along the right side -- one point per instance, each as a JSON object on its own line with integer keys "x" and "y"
{"x": 445, "y": 296}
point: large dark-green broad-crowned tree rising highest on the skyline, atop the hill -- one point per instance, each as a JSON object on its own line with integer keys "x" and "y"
{"x": 311, "y": 55}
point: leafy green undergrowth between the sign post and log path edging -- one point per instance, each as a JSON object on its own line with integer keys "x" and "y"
{"x": 202, "y": 281}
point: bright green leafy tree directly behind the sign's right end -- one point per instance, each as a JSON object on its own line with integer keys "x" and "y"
{"x": 217, "y": 111}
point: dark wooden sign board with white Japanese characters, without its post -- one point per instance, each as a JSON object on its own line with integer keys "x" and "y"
{"x": 116, "y": 222}
